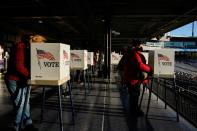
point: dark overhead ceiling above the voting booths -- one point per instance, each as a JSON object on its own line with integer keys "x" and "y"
{"x": 81, "y": 22}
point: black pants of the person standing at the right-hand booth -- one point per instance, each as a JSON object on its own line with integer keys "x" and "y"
{"x": 134, "y": 93}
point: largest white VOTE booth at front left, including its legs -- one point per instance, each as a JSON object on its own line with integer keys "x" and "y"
{"x": 50, "y": 66}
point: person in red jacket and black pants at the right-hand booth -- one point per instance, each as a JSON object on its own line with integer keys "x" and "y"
{"x": 134, "y": 70}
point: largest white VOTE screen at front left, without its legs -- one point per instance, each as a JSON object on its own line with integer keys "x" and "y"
{"x": 50, "y": 61}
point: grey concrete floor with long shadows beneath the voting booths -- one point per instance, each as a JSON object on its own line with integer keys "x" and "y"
{"x": 104, "y": 109}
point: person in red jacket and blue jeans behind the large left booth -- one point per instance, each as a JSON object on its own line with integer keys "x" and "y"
{"x": 16, "y": 77}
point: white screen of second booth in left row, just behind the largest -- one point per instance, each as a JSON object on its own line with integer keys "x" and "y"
{"x": 79, "y": 59}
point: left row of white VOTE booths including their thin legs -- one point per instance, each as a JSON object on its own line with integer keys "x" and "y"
{"x": 51, "y": 66}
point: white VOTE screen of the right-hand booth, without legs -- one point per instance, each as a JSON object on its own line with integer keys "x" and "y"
{"x": 162, "y": 61}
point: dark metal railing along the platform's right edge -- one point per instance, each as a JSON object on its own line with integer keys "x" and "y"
{"x": 187, "y": 96}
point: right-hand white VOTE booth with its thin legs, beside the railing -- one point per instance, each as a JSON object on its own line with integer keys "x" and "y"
{"x": 162, "y": 62}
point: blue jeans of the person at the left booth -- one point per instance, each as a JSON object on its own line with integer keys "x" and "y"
{"x": 18, "y": 93}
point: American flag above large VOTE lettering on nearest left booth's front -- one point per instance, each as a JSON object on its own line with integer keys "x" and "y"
{"x": 44, "y": 54}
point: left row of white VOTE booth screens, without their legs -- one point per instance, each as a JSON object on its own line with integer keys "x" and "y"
{"x": 53, "y": 61}
